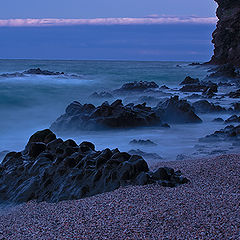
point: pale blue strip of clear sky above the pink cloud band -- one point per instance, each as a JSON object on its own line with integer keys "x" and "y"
{"x": 104, "y": 8}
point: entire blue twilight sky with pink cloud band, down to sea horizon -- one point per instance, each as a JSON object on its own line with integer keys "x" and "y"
{"x": 107, "y": 29}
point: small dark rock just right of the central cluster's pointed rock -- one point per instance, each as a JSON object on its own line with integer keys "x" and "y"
{"x": 203, "y": 106}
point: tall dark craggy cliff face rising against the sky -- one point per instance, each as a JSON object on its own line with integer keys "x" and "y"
{"x": 226, "y": 37}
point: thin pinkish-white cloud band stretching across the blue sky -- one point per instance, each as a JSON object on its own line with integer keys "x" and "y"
{"x": 105, "y": 21}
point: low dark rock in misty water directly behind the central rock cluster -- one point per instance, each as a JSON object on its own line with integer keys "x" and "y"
{"x": 137, "y": 86}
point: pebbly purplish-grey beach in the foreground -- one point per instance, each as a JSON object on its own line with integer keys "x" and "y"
{"x": 206, "y": 208}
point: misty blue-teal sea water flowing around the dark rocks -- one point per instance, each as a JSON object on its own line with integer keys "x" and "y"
{"x": 32, "y": 103}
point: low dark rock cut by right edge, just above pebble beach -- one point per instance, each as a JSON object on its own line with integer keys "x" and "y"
{"x": 229, "y": 133}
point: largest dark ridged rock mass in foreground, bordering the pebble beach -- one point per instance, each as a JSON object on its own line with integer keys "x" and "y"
{"x": 50, "y": 169}
